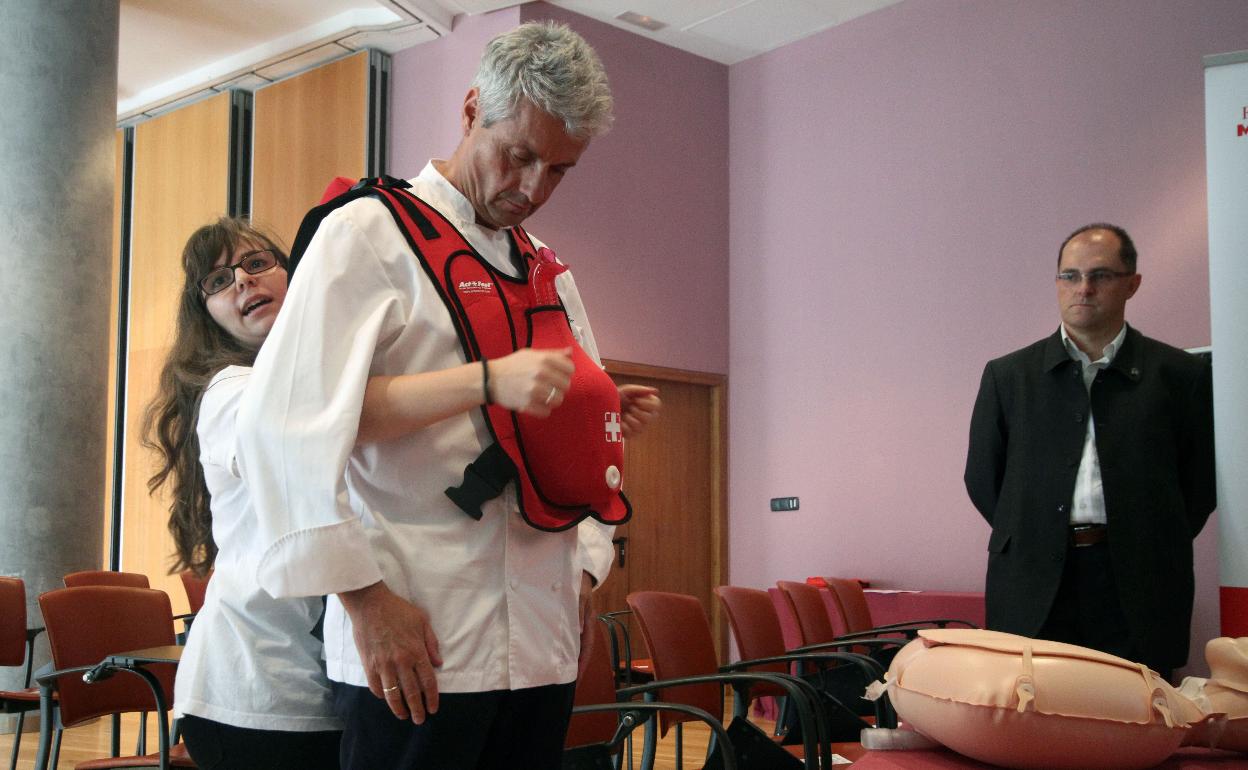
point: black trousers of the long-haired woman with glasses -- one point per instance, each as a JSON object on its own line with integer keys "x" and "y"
{"x": 220, "y": 747}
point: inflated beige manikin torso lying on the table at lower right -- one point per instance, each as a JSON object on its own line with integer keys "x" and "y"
{"x": 1026, "y": 703}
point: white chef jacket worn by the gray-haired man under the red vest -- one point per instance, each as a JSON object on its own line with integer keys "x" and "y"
{"x": 501, "y": 596}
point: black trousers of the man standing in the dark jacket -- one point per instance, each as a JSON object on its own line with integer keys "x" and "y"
{"x": 1088, "y": 612}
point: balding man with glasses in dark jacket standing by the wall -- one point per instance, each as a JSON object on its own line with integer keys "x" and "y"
{"x": 1091, "y": 456}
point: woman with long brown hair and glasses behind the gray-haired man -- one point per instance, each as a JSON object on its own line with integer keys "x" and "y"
{"x": 251, "y": 687}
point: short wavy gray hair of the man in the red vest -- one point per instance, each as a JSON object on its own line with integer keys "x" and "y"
{"x": 553, "y": 68}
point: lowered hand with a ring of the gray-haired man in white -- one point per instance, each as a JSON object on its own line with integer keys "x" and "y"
{"x": 399, "y": 650}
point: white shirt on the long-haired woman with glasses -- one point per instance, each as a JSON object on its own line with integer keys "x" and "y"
{"x": 250, "y": 661}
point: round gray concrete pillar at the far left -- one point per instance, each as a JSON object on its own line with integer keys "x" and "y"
{"x": 59, "y": 102}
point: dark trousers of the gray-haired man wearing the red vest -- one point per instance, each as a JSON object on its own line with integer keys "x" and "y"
{"x": 514, "y": 729}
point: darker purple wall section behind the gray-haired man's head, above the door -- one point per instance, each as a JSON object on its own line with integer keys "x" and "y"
{"x": 643, "y": 219}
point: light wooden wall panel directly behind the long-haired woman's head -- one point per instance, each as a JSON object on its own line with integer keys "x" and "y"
{"x": 182, "y": 180}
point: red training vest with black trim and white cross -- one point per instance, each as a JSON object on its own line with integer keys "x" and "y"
{"x": 567, "y": 466}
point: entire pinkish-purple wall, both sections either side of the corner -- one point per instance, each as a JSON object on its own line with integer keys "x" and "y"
{"x": 880, "y": 208}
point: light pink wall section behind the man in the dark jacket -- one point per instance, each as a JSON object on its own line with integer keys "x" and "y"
{"x": 900, "y": 187}
